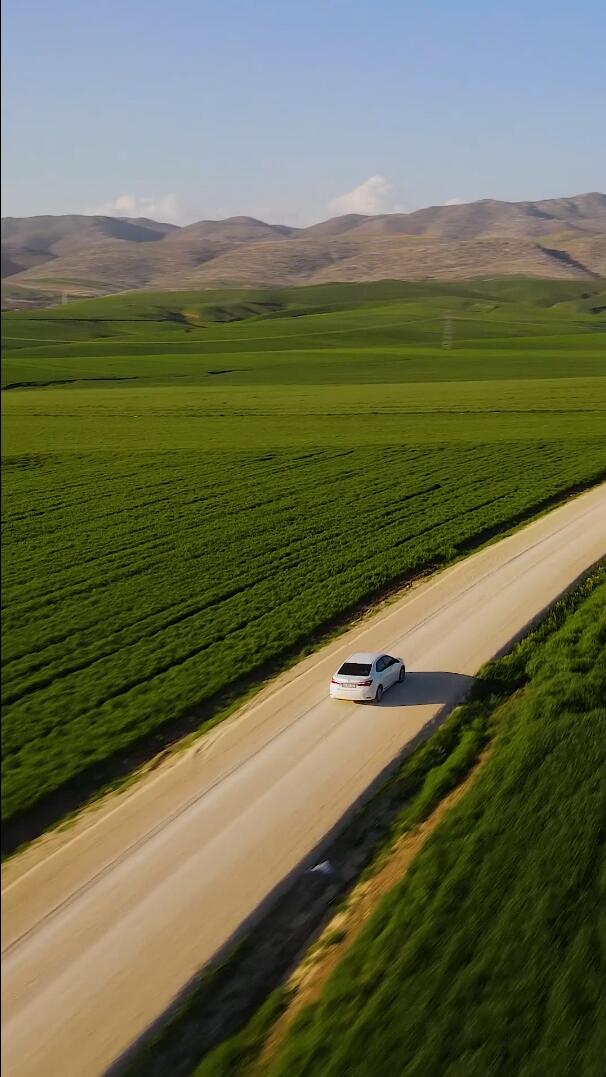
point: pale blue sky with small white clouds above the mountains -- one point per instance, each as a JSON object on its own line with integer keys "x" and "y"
{"x": 295, "y": 110}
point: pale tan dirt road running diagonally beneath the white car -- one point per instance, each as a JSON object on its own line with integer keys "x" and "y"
{"x": 104, "y": 924}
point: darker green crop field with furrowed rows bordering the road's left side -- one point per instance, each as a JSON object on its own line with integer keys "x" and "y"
{"x": 137, "y": 590}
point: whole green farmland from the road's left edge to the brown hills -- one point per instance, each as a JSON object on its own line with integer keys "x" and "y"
{"x": 198, "y": 485}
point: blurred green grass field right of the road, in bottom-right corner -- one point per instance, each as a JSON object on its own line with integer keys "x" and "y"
{"x": 489, "y": 958}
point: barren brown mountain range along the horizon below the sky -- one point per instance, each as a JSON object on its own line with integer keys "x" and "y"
{"x": 559, "y": 237}
